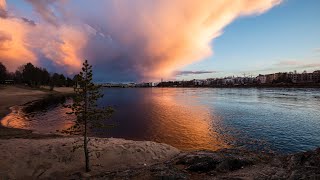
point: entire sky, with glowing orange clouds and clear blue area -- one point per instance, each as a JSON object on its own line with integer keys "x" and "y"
{"x": 147, "y": 40}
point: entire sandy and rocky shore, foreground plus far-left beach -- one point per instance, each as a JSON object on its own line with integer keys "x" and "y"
{"x": 25, "y": 155}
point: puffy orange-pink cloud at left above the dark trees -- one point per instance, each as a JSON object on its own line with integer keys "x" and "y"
{"x": 22, "y": 41}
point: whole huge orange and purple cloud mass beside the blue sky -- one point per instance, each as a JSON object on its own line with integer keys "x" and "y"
{"x": 125, "y": 40}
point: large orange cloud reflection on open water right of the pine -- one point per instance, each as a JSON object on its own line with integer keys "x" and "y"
{"x": 180, "y": 121}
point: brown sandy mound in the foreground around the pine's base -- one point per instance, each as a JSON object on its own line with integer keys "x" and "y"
{"x": 42, "y": 158}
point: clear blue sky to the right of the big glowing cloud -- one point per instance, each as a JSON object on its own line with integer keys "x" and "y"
{"x": 284, "y": 39}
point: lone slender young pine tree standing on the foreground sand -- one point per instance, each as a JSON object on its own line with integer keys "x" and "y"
{"x": 84, "y": 107}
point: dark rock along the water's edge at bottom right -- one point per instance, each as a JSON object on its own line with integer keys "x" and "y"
{"x": 224, "y": 164}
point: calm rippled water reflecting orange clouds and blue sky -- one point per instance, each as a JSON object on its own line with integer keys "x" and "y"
{"x": 281, "y": 120}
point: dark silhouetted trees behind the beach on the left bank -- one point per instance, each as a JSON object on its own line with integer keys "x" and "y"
{"x": 34, "y": 76}
